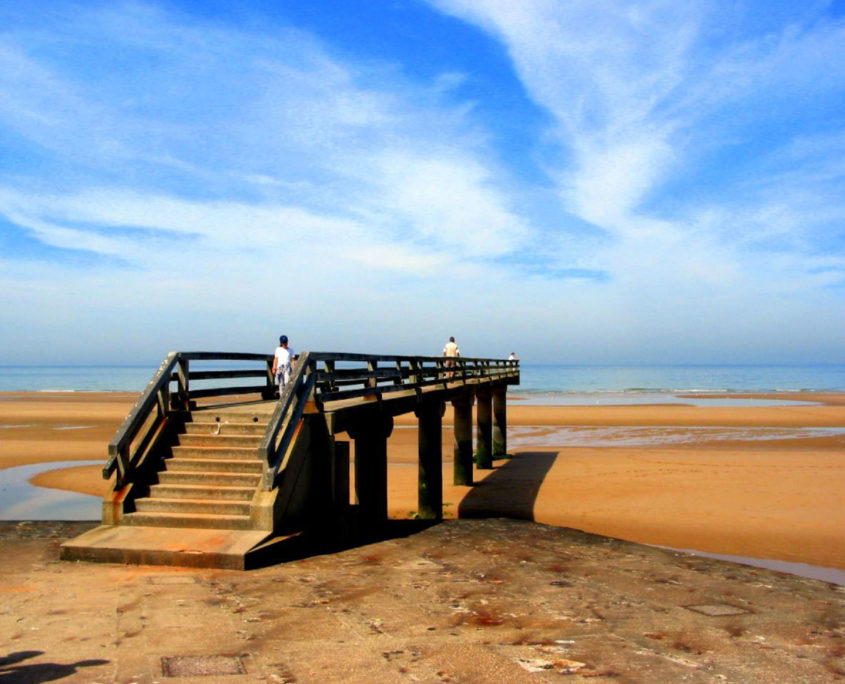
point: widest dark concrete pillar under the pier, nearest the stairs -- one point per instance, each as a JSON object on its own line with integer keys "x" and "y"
{"x": 370, "y": 432}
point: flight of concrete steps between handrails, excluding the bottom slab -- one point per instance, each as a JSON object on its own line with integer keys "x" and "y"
{"x": 211, "y": 476}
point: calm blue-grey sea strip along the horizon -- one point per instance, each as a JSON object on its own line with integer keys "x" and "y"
{"x": 537, "y": 380}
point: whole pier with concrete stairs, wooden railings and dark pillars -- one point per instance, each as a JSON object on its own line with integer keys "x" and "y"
{"x": 209, "y": 466}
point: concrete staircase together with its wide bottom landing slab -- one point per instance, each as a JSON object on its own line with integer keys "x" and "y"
{"x": 198, "y": 512}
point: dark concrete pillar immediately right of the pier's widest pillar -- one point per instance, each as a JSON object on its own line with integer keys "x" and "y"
{"x": 430, "y": 478}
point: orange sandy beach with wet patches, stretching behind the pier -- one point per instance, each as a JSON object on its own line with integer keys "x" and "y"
{"x": 756, "y": 481}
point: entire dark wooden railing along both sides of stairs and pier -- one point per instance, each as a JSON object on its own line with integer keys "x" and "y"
{"x": 322, "y": 377}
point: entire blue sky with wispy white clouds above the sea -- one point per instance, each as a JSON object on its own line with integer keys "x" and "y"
{"x": 586, "y": 182}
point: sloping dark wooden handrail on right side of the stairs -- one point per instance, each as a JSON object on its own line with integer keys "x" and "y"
{"x": 286, "y": 417}
